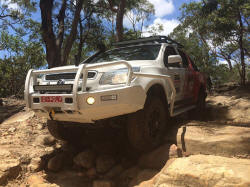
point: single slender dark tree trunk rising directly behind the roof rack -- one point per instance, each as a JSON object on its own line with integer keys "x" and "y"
{"x": 119, "y": 20}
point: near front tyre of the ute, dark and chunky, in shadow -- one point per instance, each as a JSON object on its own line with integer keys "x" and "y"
{"x": 146, "y": 127}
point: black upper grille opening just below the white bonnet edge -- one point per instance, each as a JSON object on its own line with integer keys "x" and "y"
{"x": 66, "y": 76}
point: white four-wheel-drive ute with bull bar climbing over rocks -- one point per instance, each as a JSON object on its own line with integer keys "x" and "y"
{"x": 143, "y": 81}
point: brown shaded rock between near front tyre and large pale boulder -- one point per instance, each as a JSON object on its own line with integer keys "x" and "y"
{"x": 155, "y": 159}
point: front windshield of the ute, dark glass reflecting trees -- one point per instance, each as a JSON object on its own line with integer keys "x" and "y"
{"x": 145, "y": 52}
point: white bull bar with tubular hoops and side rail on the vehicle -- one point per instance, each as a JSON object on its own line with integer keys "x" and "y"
{"x": 129, "y": 98}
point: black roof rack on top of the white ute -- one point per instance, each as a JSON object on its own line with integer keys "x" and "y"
{"x": 158, "y": 39}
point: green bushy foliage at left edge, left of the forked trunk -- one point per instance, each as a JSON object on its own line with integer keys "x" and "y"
{"x": 20, "y": 56}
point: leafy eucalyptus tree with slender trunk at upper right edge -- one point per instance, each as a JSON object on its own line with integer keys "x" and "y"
{"x": 222, "y": 28}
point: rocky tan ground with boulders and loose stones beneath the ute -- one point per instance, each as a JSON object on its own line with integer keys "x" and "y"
{"x": 214, "y": 151}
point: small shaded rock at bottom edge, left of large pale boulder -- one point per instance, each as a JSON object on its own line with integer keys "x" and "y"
{"x": 143, "y": 175}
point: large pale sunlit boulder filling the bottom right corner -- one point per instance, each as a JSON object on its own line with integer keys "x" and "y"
{"x": 203, "y": 171}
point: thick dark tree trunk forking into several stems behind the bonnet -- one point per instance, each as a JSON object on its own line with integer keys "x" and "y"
{"x": 56, "y": 54}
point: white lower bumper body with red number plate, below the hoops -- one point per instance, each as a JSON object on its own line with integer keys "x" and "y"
{"x": 128, "y": 99}
